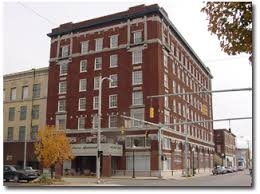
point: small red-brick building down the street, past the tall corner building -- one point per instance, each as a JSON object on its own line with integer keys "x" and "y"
{"x": 225, "y": 146}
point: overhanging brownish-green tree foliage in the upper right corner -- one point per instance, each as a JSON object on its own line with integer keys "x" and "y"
{"x": 232, "y": 23}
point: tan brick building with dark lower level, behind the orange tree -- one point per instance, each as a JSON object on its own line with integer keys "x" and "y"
{"x": 25, "y": 102}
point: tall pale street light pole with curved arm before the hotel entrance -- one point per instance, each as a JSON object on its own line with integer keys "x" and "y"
{"x": 99, "y": 126}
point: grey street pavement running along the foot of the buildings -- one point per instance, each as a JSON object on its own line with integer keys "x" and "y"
{"x": 241, "y": 179}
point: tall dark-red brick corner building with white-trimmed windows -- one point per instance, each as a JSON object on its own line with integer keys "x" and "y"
{"x": 144, "y": 54}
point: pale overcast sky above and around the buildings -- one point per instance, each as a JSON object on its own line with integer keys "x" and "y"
{"x": 27, "y": 46}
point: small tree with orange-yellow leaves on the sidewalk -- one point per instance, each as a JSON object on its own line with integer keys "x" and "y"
{"x": 52, "y": 147}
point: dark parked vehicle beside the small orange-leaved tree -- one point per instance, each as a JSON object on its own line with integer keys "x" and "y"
{"x": 12, "y": 173}
